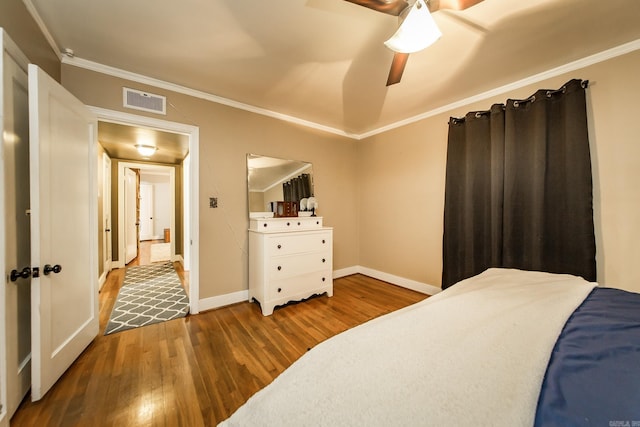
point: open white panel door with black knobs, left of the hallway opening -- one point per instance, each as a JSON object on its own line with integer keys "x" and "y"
{"x": 64, "y": 292}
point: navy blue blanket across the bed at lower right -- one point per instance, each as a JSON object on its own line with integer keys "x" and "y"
{"x": 593, "y": 376}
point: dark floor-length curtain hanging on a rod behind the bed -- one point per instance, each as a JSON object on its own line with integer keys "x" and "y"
{"x": 518, "y": 188}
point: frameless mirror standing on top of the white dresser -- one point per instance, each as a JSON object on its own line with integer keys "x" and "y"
{"x": 270, "y": 179}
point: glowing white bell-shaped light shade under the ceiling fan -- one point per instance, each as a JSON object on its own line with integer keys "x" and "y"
{"x": 417, "y": 31}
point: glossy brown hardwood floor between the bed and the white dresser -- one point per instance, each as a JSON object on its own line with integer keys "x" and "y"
{"x": 196, "y": 371}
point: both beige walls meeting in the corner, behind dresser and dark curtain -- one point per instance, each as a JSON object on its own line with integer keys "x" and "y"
{"x": 384, "y": 195}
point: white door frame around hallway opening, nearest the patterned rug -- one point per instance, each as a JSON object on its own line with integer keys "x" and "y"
{"x": 193, "y": 132}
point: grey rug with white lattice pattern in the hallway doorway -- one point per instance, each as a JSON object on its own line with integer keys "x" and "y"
{"x": 150, "y": 294}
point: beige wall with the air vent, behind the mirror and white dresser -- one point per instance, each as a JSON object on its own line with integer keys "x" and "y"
{"x": 226, "y": 136}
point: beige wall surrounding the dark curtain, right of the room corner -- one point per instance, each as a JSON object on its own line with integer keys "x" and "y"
{"x": 401, "y": 197}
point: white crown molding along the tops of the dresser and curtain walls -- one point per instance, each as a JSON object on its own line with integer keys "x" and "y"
{"x": 569, "y": 67}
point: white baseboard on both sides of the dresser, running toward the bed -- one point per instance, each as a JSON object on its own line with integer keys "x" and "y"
{"x": 240, "y": 296}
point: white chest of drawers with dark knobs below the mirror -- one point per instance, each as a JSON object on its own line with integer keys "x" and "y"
{"x": 290, "y": 259}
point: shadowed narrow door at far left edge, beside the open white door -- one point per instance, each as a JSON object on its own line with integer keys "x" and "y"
{"x": 17, "y": 256}
